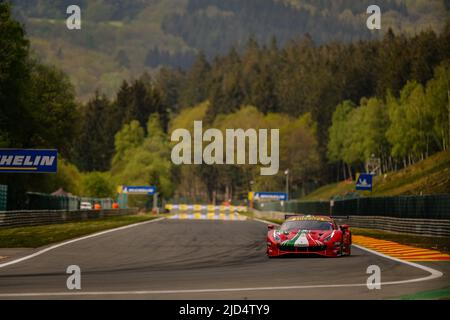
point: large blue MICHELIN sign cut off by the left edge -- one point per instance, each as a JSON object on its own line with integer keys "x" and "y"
{"x": 29, "y": 161}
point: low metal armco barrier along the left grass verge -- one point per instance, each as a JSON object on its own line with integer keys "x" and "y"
{"x": 36, "y": 218}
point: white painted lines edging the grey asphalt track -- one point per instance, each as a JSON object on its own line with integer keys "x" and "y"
{"x": 433, "y": 274}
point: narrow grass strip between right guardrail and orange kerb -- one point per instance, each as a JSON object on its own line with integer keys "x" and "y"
{"x": 436, "y": 243}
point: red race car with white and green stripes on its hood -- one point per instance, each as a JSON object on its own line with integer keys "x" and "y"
{"x": 304, "y": 234}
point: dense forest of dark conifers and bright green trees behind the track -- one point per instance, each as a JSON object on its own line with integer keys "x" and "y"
{"x": 335, "y": 104}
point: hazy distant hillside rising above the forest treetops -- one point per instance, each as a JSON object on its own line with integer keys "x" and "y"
{"x": 136, "y": 35}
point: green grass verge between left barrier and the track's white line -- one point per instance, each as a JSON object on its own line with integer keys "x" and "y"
{"x": 34, "y": 237}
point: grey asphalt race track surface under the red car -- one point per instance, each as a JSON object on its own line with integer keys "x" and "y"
{"x": 188, "y": 259}
